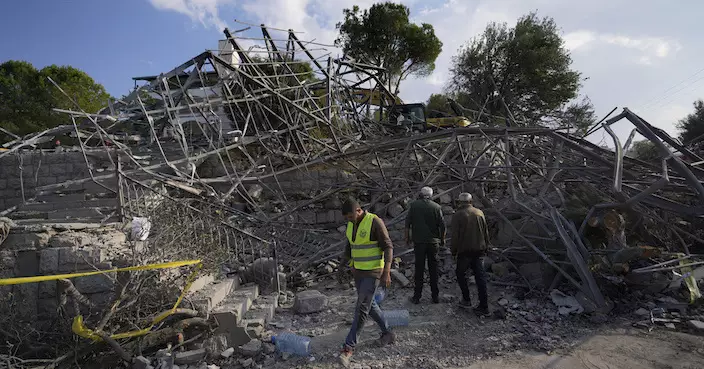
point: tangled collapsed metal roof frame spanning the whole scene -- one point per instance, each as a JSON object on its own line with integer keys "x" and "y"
{"x": 282, "y": 113}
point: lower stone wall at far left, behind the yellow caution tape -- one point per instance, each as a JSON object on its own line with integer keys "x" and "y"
{"x": 31, "y": 251}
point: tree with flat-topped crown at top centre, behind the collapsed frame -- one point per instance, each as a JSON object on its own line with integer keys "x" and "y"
{"x": 383, "y": 35}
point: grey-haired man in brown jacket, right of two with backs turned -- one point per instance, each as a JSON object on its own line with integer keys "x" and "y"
{"x": 470, "y": 241}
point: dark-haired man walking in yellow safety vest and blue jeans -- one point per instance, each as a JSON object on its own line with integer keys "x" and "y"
{"x": 369, "y": 252}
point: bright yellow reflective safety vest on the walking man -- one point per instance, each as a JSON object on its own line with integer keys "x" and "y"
{"x": 366, "y": 254}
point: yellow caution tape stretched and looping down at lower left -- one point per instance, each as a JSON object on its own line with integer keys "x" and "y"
{"x": 80, "y": 329}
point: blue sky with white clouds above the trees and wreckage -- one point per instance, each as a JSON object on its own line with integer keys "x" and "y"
{"x": 642, "y": 54}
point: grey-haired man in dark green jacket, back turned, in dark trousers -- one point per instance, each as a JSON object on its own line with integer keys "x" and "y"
{"x": 425, "y": 224}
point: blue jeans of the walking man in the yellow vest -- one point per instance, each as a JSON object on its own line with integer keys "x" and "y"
{"x": 366, "y": 306}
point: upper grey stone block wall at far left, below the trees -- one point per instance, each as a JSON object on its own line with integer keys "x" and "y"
{"x": 34, "y": 169}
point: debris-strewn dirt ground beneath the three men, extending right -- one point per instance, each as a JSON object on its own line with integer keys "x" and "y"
{"x": 532, "y": 335}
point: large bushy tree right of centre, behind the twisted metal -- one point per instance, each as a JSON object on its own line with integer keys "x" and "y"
{"x": 525, "y": 68}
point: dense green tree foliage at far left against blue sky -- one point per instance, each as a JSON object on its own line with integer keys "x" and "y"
{"x": 27, "y": 97}
